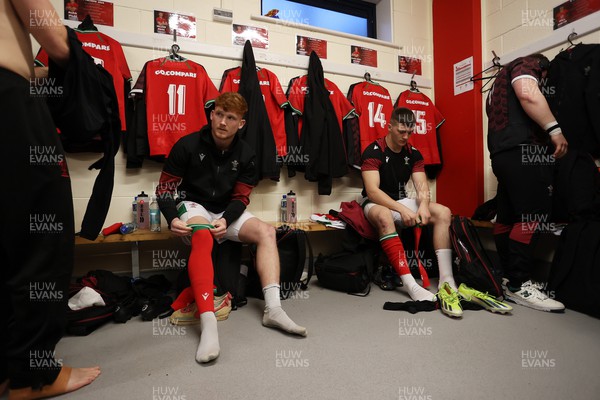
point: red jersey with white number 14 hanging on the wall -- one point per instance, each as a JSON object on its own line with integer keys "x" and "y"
{"x": 373, "y": 104}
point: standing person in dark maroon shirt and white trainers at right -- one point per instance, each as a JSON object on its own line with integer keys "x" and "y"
{"x": 524, "y": 140}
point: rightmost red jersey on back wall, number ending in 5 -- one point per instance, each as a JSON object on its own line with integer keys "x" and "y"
{"x": 428, "y": 119}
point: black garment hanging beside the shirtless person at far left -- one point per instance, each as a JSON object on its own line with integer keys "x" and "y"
{"x": 88, "y": 111}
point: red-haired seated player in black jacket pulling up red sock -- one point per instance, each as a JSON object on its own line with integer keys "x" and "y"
{"x": 213, "y": 171}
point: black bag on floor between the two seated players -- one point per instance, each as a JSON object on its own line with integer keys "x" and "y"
{"x": 349, "y": 272}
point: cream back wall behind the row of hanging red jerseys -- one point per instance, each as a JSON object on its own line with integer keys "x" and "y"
{"x": 411, "y": 23}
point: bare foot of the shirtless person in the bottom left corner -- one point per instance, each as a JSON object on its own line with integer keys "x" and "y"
{"x": 68, "y": 380}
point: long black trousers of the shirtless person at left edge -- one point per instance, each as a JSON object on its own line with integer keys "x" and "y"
{"x": 37, "y": 238}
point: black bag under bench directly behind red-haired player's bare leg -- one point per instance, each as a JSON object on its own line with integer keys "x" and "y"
{"x": 295, "y": 253}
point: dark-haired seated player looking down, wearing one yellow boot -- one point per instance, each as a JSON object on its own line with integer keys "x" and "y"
{"x": 388, "y": 164}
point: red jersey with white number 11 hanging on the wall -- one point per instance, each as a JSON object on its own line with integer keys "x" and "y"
{"x": 175, "y": 94}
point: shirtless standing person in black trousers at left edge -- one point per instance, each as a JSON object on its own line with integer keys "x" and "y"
{"x": 37, "y": 239}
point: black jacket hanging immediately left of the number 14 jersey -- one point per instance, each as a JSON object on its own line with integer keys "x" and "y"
{"x": 321, "y": 138}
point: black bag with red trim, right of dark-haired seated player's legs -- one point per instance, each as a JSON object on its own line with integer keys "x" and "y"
{"x": 472, "y": 265}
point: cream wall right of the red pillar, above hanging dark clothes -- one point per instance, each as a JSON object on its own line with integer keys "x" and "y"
{"x": 519, "y": 27}
